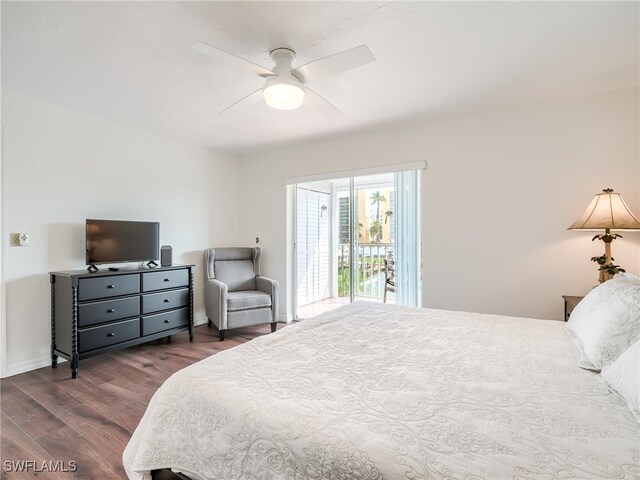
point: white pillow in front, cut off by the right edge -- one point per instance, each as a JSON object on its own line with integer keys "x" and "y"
{"x": 623, "y": 376}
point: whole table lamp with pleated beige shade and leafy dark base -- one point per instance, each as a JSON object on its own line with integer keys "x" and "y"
{"x": 606, "y": 211}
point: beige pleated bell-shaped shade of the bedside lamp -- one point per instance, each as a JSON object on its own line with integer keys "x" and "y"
{"x": 607, "y": 210}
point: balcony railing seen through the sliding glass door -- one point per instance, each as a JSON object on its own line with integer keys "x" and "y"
{"x": 370, "y": 269}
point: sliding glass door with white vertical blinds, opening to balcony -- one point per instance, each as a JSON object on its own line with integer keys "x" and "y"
{"x": 357, "y": 238}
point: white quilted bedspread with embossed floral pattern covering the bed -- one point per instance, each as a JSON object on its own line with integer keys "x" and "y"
{"x": 374, "y": 391}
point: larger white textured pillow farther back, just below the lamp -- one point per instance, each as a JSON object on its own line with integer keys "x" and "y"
{"x": 607, "y": 321}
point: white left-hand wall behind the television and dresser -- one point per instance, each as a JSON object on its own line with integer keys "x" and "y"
{"x": 61, "y": 167}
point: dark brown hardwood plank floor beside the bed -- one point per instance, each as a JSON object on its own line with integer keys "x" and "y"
{"x": 47, "y": 417}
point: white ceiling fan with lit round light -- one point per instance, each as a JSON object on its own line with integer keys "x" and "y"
{"x": 285, "y": 87}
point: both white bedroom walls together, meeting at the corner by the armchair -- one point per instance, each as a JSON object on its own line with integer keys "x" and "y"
{"x": 500, "y": 190}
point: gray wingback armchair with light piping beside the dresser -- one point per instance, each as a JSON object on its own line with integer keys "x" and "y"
{"x": 235, "y": 293}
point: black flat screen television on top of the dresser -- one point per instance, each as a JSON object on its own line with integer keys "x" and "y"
{"x": 116, "y": 241}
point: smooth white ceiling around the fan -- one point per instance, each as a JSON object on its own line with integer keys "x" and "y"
{"x": 130, "y": 61}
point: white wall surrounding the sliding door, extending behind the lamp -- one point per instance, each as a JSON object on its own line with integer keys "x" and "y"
{"x": 499, "y": 193}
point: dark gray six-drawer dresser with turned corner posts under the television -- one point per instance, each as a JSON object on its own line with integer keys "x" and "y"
{"x": 94, "y": 313}
